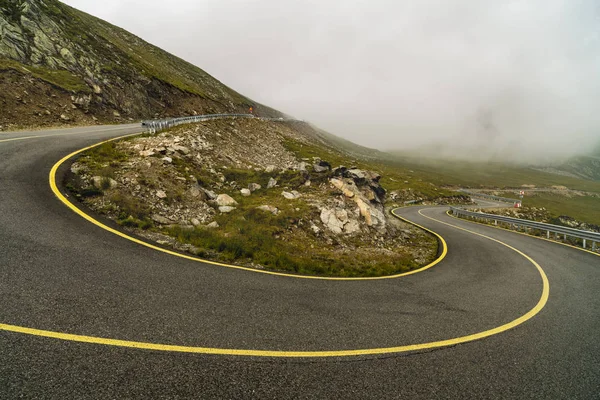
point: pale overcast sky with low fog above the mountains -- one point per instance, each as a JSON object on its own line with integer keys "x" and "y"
{"x": 517, "y": 76}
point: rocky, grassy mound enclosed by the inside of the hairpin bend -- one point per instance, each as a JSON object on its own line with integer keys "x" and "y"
{"x": 247, "y": 191}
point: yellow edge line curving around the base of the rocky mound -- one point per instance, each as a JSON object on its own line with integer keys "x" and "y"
{"x": 53, "y": 185}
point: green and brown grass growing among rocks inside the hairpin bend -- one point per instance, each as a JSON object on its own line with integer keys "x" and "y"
{"x": 287, "y": 239}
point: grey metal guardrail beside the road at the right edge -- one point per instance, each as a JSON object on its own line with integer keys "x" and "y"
{"x": 585, "y": 236}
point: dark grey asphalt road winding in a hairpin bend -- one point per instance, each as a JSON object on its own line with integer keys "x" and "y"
{"x": 62, "y": 274}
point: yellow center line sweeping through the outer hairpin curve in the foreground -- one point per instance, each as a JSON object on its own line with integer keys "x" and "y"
{"x": 298, "y": 354}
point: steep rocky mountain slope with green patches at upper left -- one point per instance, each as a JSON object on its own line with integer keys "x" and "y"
{"x": 59, "y": 65}
